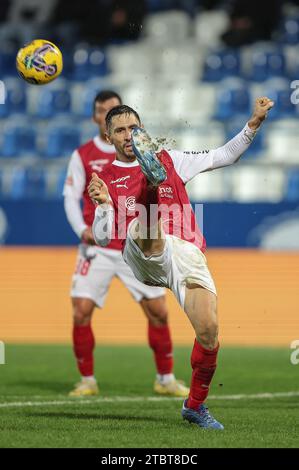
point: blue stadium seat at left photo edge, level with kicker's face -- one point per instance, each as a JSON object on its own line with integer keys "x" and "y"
{"x": 18, "y": 141}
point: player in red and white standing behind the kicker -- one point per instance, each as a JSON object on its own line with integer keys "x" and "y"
{"x": 97, "y": 266}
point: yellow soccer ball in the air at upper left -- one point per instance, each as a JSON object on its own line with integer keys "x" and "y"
{"x": 39, "y": 62}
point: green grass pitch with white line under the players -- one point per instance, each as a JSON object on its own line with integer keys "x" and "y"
{"x": 35, "y": 410}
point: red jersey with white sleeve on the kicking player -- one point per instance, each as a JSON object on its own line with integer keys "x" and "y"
{"x": 127, "y": 188}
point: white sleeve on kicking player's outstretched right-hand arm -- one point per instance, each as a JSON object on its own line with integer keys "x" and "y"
{"x": 190, "y": 163}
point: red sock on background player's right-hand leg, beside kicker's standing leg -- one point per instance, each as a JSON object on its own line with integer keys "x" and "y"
{"x": 160, "y": 341}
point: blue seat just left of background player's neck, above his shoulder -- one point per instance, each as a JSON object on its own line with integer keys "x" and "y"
{"x": 61, "y": 141}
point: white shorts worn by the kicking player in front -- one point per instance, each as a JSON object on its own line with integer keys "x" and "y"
{"x": 180, "y": 263}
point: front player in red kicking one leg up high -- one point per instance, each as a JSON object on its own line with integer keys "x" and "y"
{"x": 163, "y": 244}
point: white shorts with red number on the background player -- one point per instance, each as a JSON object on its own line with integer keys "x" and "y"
{"x": 94, "y": 272}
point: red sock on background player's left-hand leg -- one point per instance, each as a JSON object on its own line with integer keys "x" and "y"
{"x": 83, "y": 343}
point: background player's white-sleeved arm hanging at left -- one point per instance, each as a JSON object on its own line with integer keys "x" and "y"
{"x": 73, "y": 190}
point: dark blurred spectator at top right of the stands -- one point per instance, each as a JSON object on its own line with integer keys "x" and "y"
{"x": 252, "y": 21}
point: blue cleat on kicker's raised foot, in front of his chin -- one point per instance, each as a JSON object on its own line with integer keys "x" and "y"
{"x": 144, "y": 150}
